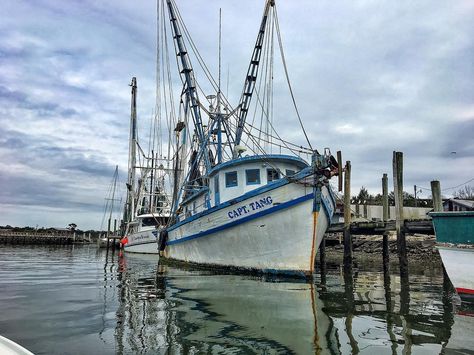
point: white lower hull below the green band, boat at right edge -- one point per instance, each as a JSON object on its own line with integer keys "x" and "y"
{"x": 458, "y": 263}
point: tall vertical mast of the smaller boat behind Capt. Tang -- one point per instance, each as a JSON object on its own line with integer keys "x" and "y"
{"x": 132, "y": 152}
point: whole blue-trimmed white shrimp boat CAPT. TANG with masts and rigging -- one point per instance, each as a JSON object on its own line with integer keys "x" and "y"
{"x": 239, "y": 205}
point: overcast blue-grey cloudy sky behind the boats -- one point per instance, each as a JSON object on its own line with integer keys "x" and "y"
{"x": 370, "y": 77}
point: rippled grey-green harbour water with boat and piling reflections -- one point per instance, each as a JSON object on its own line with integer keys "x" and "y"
{"x": 82, "y": 300}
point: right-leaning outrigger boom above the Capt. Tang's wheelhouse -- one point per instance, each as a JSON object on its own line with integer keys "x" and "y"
{"x": 251, "y": 78}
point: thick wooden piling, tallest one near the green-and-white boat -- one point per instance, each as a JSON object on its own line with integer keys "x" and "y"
{"x": 398, "y": 192}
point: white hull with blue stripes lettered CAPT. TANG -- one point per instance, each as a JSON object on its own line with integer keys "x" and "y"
{"x": 282, "y": 235}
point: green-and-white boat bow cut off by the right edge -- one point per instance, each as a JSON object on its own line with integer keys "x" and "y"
{"x": 455, "y": 242}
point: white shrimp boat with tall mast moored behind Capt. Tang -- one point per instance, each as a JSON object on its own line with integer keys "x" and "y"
{"x": 147, "y": 209}
